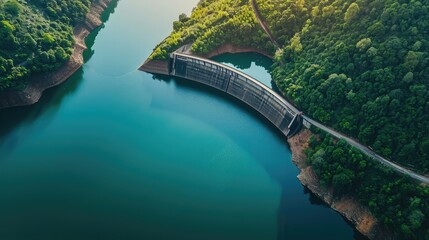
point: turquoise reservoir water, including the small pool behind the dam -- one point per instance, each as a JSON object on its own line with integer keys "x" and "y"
{"x": 115, "y": 153}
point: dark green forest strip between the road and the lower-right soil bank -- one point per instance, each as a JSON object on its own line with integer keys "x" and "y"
{"x": 396, "y": 201}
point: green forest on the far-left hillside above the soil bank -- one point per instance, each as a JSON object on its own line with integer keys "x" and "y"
{"x": 36, "y": 37}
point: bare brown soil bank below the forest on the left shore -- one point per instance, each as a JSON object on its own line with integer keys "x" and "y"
{"x": 39, "y": 83}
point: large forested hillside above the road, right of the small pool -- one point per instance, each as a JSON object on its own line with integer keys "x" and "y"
{"x": 361, "y": 67}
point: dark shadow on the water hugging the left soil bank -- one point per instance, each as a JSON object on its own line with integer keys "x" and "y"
{"x": 12, "y": 120}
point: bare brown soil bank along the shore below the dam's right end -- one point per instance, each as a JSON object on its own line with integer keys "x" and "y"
{"x": 359, "y": 215}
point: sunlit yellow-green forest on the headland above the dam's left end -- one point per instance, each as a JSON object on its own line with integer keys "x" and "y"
{"x": 214, "y": 23}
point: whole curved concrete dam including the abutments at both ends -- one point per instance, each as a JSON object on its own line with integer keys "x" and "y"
{"x": 226, "y": 79}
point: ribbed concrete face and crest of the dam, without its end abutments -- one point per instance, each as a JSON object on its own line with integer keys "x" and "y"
{"x": 248, "y": 90}
